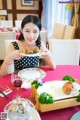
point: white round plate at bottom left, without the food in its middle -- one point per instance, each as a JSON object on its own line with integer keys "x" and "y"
{"x": 34, "y": 115}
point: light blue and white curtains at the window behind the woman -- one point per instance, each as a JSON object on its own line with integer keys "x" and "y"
{"x": 53, "y": 11}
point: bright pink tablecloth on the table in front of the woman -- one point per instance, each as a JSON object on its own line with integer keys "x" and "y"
{"x": 63, "y": 114}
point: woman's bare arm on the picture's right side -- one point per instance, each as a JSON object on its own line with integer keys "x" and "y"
{"x": 48, "y": 56}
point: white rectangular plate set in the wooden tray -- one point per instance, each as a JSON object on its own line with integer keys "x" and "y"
{"x": 55, "y": 89}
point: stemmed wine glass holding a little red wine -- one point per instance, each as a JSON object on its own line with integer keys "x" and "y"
{"x": 16, "y": 81}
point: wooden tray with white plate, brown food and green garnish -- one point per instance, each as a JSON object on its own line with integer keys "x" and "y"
{"x": 58, "y": 94}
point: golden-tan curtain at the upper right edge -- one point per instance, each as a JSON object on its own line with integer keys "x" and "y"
{"x": 75, "y": 20}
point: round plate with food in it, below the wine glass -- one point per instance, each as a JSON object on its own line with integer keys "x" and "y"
{"x": 22, "y": 109}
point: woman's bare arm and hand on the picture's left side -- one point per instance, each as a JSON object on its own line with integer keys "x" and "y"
{"x": 11, "y": 55}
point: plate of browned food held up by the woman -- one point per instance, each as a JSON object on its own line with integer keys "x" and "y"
{"x": 32, "y": 52}
